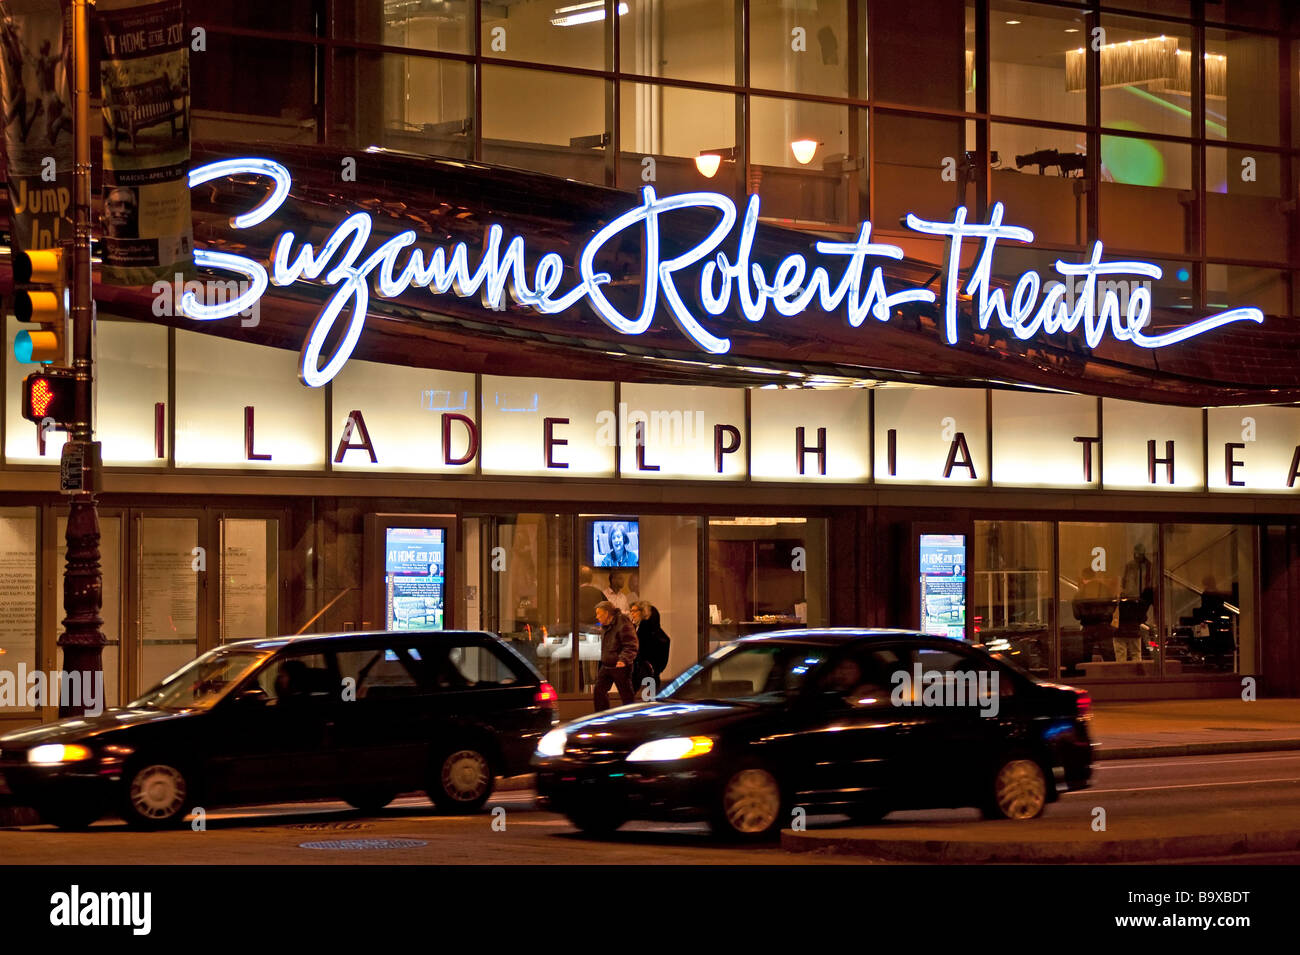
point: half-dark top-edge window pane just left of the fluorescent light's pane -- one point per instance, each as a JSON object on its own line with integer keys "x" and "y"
{"x": 436, "y": 25}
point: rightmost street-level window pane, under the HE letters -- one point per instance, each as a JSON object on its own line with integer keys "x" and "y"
{"x": 1210, "y": 600}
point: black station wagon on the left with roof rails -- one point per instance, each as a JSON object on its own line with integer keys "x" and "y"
{"x": 359, "y": 717}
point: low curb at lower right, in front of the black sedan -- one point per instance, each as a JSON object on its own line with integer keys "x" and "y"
{"x": 1063, "y": 852}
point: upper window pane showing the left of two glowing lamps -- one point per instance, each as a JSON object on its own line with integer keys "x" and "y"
{"x": 674, "y": 128}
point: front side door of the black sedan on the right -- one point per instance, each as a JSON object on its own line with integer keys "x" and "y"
{"x": 848, "y": 728}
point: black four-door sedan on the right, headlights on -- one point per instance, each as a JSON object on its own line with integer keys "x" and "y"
{"x": 847, "y": 722}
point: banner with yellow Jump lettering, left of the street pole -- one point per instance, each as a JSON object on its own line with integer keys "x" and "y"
{"x": 38, "y": 120}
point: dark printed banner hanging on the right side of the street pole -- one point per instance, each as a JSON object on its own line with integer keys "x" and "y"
{"x": 145, "y": 77}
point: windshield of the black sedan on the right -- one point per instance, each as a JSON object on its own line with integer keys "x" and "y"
{"x": 748, "y": 672}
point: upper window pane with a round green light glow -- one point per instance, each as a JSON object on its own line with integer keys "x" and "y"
{"x": 1145, "y": 196}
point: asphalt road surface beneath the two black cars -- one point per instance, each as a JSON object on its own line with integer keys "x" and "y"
{"x": 1232, "y": 793}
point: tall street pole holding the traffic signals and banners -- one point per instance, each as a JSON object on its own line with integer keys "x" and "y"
{"x": 83, "y": 640}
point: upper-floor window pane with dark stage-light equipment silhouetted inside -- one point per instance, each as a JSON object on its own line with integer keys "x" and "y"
{"x": 1039, "y": 177}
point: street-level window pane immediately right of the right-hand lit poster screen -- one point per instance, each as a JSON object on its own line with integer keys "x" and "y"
{"x": 1012, "y": 592}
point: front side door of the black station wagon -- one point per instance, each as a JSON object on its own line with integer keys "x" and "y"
{"x": 275, "y": 736}
